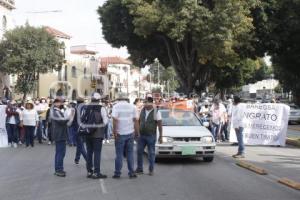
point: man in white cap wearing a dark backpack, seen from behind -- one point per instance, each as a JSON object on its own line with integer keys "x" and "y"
{"x": 95, "y": 139}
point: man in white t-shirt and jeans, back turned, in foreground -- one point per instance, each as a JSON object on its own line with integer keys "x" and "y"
{"x": 125, "y": 128}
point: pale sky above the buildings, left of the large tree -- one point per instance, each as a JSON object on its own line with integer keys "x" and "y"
{"x": 77, "y": 18}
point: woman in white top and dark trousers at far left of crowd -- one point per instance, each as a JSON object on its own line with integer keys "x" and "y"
{"x": 29, "y": 120}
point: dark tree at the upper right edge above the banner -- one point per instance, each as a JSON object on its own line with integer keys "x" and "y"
{"x": 278, "y": 33}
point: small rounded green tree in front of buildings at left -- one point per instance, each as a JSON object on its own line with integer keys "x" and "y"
{"x": 26, "y": 52}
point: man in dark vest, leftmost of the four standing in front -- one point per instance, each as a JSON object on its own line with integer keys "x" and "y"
{"x": 59, "y": 135}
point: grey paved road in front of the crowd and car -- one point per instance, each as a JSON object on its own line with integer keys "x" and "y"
{"x": 27, "y": 174}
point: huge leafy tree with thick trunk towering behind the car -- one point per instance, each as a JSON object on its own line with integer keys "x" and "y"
{"x": 192, "y": 38}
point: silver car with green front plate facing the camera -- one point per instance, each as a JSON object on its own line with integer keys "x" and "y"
{"x": 185, "y": 136}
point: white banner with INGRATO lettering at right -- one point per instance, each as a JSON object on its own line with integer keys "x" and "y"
{"x": 264, "y": 124}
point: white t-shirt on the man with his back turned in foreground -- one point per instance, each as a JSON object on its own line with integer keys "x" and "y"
{"x": 124, "y": 113}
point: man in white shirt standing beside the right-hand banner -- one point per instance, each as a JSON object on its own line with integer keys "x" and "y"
{"x": 238, "y": 127}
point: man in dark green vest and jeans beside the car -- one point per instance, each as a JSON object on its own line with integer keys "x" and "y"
{"x": 150, "y": 119}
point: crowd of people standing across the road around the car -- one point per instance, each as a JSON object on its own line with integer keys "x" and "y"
{"x": 95, "y": 122}
